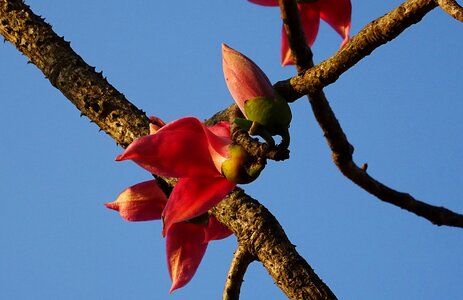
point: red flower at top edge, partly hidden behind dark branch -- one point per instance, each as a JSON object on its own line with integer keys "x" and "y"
{"x": 337, "y": 13}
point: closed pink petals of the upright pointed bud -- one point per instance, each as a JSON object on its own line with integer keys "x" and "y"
{"x": 245, "y": 80}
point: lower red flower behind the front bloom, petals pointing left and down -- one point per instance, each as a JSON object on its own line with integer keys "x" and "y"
{"x": 186, "y": 243}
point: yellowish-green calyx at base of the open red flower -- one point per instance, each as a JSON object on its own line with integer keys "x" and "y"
{"x": 241, "y": 167}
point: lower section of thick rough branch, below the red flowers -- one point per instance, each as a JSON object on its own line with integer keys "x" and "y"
{"x": 260, "y": 233}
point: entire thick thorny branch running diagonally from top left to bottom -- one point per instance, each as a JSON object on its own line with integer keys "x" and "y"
{"x": 255, "y": 227}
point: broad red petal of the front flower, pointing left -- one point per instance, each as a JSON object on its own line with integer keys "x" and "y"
{"x": 179, "y": 149}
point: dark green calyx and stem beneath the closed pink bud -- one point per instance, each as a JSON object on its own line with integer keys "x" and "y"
{"x": 267, "y": 117}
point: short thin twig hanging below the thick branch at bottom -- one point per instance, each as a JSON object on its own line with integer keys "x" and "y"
{"x": 241, "y": 260}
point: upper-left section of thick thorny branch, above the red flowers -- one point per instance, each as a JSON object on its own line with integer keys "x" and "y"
{"x": 88, "y": 90}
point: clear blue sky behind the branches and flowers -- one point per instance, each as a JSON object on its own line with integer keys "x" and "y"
{"x": 401, "y": 108}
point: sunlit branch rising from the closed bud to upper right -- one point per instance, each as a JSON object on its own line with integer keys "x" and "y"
{"x": 372, "y": 36}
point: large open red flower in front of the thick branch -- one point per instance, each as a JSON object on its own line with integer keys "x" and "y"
{"x": 193, "y": 153}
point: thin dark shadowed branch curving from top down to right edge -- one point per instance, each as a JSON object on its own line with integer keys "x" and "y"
{"x": 342, "y": 150}
